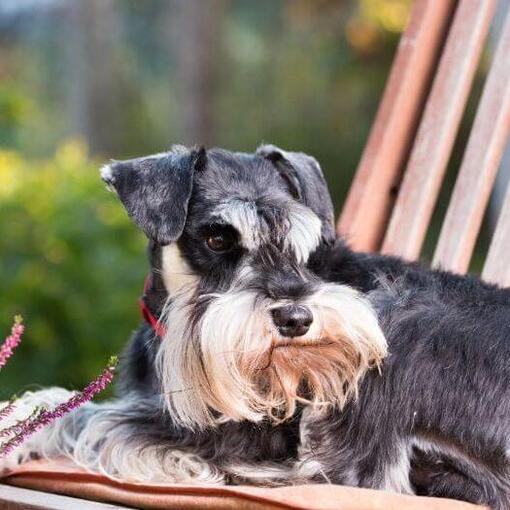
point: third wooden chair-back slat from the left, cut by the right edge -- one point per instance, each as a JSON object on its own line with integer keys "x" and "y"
{"x": 480, "y": 164}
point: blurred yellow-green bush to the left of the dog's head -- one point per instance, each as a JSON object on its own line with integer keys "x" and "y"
{"x": 71, "y": 263}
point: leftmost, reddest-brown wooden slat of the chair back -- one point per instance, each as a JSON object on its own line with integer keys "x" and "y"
{"x": 368, "y": 205}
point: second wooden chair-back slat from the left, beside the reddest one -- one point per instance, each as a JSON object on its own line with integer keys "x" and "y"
{"x": 439, "y": 125}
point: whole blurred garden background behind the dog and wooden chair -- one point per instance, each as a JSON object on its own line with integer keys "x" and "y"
{"x": 83, "y": 81}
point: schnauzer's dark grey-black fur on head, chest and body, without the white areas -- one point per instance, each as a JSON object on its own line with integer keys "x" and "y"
{"x": 445, "y": 380}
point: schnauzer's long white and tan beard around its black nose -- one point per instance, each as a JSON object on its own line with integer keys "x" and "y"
{"x": 232, "y": 365}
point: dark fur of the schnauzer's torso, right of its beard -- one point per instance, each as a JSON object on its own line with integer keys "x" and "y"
{"x": 446, "y": 374}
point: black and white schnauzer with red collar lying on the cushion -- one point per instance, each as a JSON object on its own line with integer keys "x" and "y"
{"x": 273, "y": 354}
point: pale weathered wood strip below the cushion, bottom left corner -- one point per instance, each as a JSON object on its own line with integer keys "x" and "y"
{"x": 15, "y": 498}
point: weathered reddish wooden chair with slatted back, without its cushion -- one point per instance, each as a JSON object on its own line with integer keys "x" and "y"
{"x": 391, "y": 201}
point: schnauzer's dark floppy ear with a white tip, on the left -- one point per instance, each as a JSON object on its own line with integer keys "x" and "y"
{"x": 155, "y": 190}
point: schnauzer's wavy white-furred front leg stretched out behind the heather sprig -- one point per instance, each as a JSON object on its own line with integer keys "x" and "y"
{"x": 93, "y": 437}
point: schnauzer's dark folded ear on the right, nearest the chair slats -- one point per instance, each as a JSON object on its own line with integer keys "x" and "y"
{"x": 306, "y": 181}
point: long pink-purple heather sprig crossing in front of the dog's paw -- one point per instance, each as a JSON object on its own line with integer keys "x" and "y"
{"x": 41, "y": 417}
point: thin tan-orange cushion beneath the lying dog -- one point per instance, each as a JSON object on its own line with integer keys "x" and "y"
{"x": 63, "y": 478}
